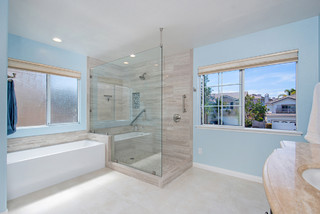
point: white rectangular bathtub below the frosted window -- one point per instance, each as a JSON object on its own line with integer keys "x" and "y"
{"x": 34, "y": 169}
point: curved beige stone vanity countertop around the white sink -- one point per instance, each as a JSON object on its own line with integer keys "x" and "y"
{"x": 286, "y": 190}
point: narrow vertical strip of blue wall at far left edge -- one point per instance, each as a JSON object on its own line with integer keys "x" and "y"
{"x": 3, "y": 106}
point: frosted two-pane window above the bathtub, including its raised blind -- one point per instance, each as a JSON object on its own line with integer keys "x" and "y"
{"x": 44, "y": 95}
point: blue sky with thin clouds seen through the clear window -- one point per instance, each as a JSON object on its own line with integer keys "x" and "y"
{"x": 272, "y": 79}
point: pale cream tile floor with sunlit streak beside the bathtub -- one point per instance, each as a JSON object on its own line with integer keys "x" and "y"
{"x": 106, "y": 191}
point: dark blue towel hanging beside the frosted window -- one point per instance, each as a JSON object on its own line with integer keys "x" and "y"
{"x": 12, "y": 114}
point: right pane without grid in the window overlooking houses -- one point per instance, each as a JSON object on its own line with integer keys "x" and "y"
{"x": 270, "y": 90}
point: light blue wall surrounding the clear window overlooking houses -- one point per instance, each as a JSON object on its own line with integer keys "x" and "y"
{"x": 242, "y": 151}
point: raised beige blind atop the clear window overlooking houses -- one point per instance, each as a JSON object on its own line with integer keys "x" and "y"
{"x": 270, "y": 59}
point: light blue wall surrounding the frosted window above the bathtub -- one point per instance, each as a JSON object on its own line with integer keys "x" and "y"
{"x": 29, "y": 50}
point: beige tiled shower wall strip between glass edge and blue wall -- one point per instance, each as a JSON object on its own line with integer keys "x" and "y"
{"x": 177, "y": 137}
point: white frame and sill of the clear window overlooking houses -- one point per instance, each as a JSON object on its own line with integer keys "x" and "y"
{"x": 242, "y": 127}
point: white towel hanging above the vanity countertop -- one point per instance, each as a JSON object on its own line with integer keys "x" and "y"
{"x": 313, "y": 133}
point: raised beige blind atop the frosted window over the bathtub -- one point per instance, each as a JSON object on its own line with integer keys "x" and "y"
{"x": 41, "y": 68}
